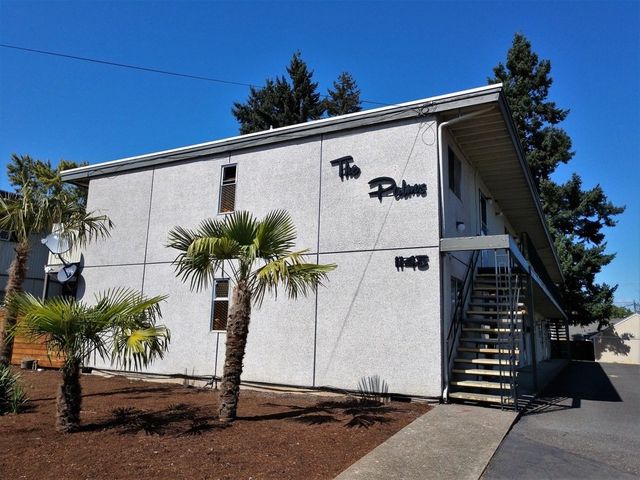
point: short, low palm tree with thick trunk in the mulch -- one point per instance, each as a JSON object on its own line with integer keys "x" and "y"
{"x": 121, "y": 325}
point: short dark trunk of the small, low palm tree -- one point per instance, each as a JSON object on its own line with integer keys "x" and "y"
{"x": 69, "y": 397}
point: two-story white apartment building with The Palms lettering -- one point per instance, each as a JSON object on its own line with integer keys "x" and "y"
{"x": 446, "y": 278}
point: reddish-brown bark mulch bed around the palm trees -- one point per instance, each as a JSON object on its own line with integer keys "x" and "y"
{"x": 133, "y": 429}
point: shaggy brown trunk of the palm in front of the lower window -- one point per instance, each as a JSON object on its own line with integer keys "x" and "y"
{"x": 237, "y": 332}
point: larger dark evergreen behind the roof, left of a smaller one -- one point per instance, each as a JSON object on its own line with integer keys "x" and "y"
{"x": 280, "y": 102}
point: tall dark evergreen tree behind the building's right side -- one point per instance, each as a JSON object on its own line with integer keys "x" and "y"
{"x": 576, "y": 217}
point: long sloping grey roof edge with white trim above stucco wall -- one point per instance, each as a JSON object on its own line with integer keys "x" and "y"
{"x": 411, "y": 109}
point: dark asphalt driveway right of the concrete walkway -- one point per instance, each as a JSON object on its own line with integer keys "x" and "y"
{"x": 586, "y": 426}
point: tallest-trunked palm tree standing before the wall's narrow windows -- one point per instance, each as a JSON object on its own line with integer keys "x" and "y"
{"x": 258, "y": 254}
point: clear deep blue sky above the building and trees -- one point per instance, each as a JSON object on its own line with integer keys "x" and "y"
{"x": 54, "y": 108}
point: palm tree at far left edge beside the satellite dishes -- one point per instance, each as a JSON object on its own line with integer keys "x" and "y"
{"x": 41, "y": 202}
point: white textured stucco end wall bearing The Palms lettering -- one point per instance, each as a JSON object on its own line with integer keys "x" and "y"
{"x": 370, "y": 319}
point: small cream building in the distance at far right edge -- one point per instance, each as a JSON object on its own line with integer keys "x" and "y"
{"x": 619, "y": 342}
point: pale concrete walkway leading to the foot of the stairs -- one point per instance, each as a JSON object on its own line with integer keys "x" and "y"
{"x": 450, "y": 442}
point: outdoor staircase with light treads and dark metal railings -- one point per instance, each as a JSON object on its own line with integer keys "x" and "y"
{"x": 485, "y": 363}
